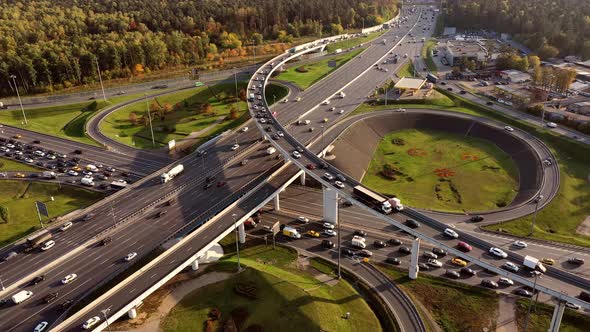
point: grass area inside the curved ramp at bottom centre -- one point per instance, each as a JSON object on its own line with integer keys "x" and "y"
{"x": 287, "y": 299}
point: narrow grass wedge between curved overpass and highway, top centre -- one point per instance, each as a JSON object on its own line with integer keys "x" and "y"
{"x": 316, "y": 70}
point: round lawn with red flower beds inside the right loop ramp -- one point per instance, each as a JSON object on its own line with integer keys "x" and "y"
{"x": 484, "y": 176}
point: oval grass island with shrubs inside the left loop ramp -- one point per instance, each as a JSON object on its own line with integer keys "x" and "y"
{"x": 186, "y": 117}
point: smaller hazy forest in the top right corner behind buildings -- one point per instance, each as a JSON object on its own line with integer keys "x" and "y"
{"x": 548, "y": 27}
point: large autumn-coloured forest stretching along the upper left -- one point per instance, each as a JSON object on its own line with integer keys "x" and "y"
{"x": 49, "y": 45}
